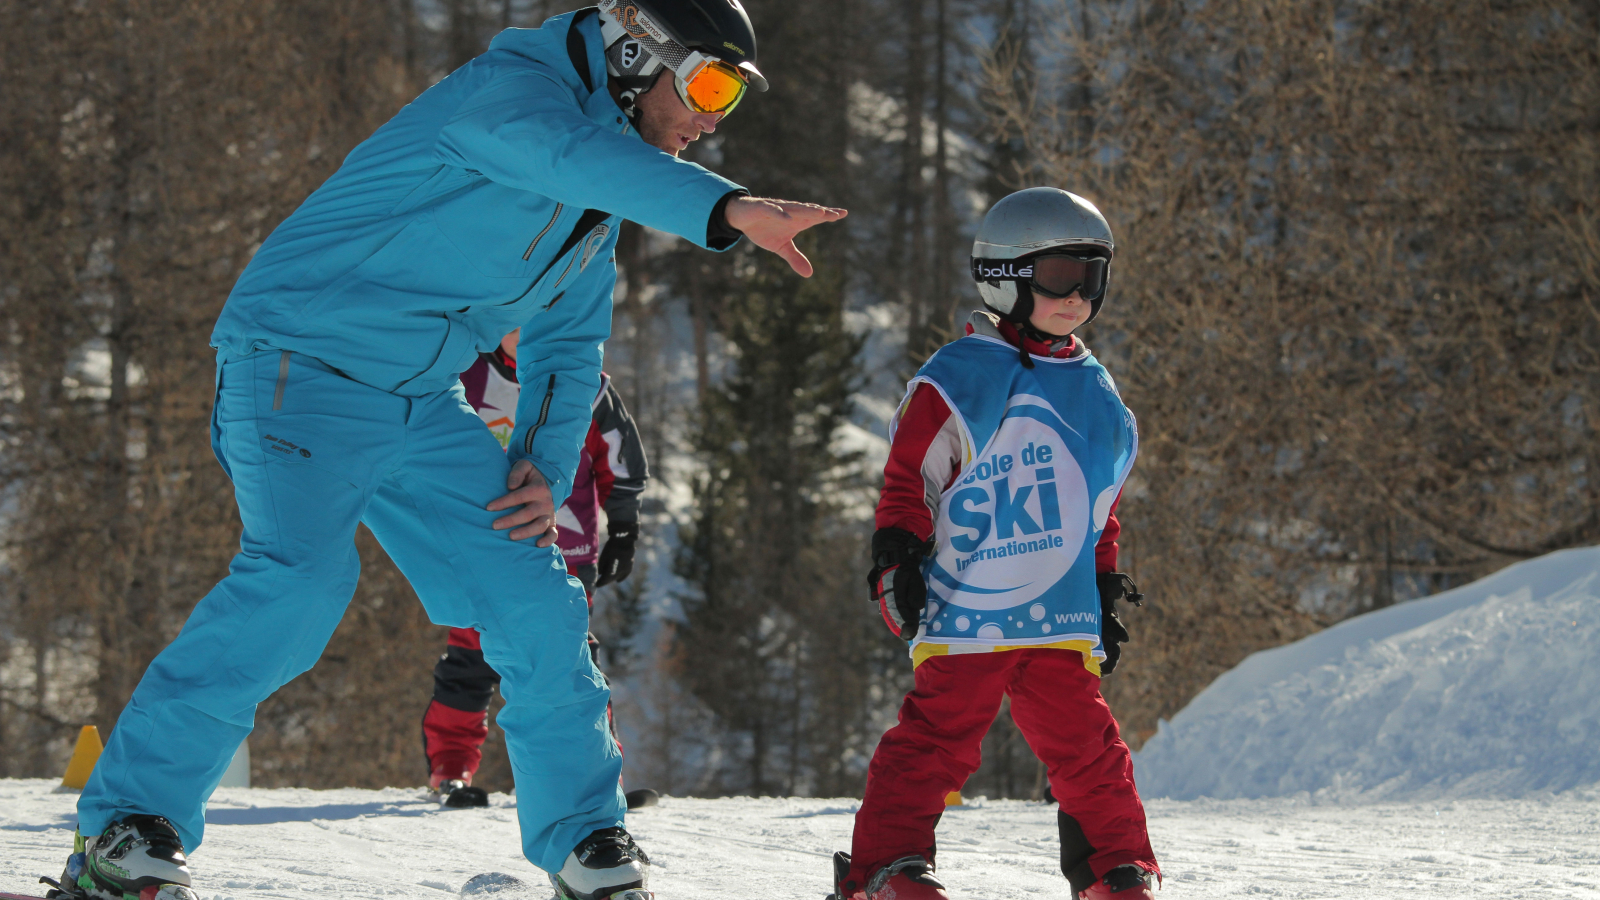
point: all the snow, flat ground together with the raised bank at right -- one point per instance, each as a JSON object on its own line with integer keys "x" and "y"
{"x": 1446, "y": 704}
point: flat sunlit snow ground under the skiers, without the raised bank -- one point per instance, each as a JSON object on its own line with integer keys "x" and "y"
{"x": 396, "y": 845}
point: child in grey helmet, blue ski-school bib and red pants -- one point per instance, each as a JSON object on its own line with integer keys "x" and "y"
{"x": 996, "y": 560}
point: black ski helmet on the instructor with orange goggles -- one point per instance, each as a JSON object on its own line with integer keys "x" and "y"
{"x": 670, "y": 31}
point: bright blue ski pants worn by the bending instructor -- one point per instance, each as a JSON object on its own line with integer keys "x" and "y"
{"x": 313, "y": 454}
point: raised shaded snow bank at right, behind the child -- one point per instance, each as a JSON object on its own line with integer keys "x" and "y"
{"x": 1489, "y": 691}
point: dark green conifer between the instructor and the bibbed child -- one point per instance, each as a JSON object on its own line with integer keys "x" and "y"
{"x": 772, "y": 558}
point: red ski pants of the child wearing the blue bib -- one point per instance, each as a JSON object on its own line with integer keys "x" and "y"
{"x": 937, "y": 747}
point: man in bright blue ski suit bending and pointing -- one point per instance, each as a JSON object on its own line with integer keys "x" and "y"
{"x": 490, "y": 203}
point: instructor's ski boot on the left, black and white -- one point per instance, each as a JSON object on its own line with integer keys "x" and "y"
{"x": 138, "y": 858}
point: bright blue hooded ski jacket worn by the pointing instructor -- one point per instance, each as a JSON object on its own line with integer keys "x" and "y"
{"x": 490, "y": 203}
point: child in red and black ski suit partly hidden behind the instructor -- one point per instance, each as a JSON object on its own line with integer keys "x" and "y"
{"x": 612, "y": 473}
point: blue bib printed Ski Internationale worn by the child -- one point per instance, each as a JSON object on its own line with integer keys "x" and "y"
{"x": 1046, "y": 452}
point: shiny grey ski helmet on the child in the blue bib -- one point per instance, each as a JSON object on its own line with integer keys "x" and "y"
{"x": 1026, "y": 225}
